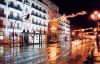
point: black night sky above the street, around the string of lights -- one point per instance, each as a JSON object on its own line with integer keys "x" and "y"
{"x": 75, "y": 6}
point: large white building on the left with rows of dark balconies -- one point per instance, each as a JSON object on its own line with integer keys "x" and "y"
{"x": 13, "y": 14}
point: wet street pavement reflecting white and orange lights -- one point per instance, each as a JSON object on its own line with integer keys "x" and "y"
{"x": 55, "y": 53}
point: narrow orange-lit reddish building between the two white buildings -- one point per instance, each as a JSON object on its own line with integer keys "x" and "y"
{"x": 53, "y": 12}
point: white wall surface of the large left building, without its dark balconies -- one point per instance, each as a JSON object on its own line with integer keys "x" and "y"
{"x": 25, "y": 24}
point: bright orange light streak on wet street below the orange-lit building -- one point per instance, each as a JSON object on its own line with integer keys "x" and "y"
{"x": 53, "y": 53}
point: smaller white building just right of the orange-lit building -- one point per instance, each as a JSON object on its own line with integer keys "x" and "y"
{"x": 64, "y": 31}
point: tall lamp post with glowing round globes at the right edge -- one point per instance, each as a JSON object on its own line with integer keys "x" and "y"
{"x": 96, "y": 16}
